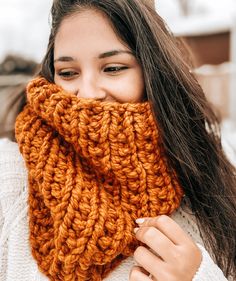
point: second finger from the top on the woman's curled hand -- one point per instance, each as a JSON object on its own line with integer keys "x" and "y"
{"x": 157, "y": 241}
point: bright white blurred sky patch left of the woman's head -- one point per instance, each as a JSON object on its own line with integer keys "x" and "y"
{"x": 24, "y": 27}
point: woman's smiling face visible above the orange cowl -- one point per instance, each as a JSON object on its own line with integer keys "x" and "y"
{"x": 92, "y": 62}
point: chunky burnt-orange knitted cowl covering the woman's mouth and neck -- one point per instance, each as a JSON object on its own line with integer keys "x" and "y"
{"x": 93, "y": 168}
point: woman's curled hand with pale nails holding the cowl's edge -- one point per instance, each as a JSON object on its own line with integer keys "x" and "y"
{"x": 170, "y": 255}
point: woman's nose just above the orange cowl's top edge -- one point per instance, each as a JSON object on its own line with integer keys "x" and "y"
{"x": 91, "y": 88}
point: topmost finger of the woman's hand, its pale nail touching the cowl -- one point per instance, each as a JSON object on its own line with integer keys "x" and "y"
{"x": 168, "y": 227}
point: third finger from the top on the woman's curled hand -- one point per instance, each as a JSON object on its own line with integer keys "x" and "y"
{"x": 150, "y": 262}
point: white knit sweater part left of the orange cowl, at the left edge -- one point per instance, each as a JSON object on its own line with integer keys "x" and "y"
{"x": 16, "y": 261}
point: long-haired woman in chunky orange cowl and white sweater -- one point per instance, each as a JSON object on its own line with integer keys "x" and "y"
{"x": 117, "y": 130}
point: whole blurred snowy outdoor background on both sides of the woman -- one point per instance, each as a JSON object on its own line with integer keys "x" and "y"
{"x": 208, "y": 27}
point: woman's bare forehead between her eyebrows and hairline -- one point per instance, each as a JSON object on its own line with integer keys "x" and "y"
{"x": 89, "y": 31}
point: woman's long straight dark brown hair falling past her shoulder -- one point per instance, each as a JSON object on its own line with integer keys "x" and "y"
{"x": 190, "y": 129}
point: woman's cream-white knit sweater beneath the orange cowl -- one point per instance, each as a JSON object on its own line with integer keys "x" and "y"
{"x": 16, "y": 262}
